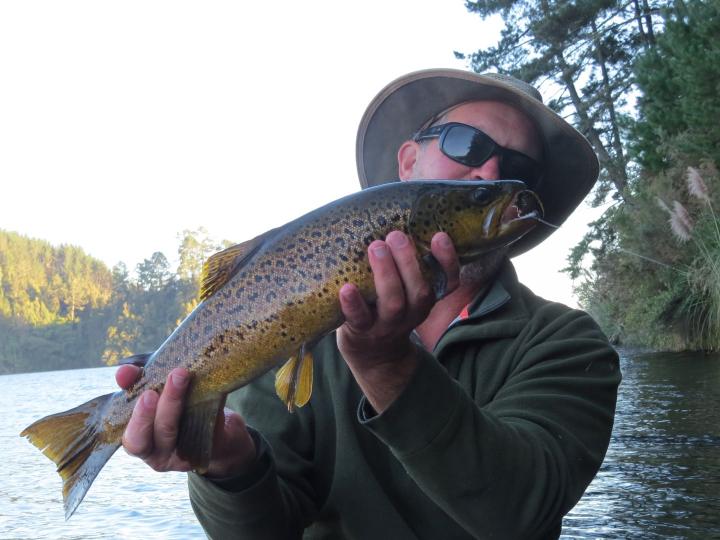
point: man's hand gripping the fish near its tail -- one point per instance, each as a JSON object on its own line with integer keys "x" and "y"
{"x": 151, "y": 433}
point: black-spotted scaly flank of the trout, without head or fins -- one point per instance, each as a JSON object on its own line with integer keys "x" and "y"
{"x": 252, "y": 315}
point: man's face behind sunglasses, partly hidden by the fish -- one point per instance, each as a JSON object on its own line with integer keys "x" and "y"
{"x": 506, "y": 125}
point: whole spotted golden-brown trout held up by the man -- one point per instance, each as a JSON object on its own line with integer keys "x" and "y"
{"x": 270, "y": 299}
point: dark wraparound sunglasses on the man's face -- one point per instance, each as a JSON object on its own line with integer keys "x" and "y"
{"x": 471, "y": 147}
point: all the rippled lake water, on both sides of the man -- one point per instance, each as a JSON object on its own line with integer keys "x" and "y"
{"x": 660, "y": 479}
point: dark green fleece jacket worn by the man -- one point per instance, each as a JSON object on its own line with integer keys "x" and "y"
{"x": 497, "y": 435}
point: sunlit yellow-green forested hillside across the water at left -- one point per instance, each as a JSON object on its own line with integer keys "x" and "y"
{"x": 60, "y": 308}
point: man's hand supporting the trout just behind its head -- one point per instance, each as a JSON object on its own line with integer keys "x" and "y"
{"x": 375, "y": 341}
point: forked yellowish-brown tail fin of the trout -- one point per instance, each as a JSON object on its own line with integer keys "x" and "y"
{"x": 73, "y": 440}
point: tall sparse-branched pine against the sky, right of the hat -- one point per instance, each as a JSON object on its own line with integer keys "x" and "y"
{"x": 585, "y": 48}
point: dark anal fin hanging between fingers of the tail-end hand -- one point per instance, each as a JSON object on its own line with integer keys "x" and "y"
{"x": 195, "y": 436}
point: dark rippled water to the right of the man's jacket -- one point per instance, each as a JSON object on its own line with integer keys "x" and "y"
{"x": 661, "y": 476}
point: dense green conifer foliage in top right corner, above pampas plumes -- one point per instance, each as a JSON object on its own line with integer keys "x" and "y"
{"x": 680, "y": 109}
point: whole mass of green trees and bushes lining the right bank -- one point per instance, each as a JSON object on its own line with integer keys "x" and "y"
{"x": 654, "y": 279}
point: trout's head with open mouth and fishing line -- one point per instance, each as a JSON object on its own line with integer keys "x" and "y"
{"x": 479, "y": 216}
